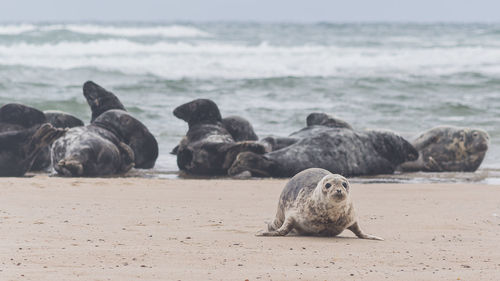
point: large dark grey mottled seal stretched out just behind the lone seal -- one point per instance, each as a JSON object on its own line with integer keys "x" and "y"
{"x": 339, "y": 150}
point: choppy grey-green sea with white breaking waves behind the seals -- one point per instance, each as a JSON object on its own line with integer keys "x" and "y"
{"x": 404, "y": 77}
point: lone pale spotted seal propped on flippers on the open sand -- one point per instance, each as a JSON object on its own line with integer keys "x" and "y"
{"x": 316, "y": 202}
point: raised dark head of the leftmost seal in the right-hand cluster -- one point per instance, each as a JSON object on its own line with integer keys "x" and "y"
{"x": 198, "y": 111}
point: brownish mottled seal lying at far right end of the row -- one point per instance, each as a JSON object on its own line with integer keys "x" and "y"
{"x": 449, "y": 149}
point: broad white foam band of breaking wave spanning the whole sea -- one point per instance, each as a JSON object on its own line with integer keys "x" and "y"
{"x": 210, "y": 59}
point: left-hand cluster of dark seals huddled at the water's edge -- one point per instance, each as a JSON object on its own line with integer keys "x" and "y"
{"x": 112, "y": 143}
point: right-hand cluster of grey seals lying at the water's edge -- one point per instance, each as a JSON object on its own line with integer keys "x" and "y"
{"x": 214, "y": 146}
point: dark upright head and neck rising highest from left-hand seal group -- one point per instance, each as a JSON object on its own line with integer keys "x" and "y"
{"x": 99, "y": 99}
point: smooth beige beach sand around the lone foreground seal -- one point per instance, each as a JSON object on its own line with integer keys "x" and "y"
{"x": 153, "y": 229}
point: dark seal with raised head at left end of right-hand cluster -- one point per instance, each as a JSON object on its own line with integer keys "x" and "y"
{"x": 208, "y": 148}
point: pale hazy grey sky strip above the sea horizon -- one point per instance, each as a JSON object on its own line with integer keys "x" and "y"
{"x": 247, "y": 10}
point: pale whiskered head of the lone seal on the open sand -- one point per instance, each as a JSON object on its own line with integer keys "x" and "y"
{"x": 334, "y": 188}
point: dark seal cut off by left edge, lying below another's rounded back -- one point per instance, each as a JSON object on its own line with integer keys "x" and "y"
{"x": 19, "y": 148}
